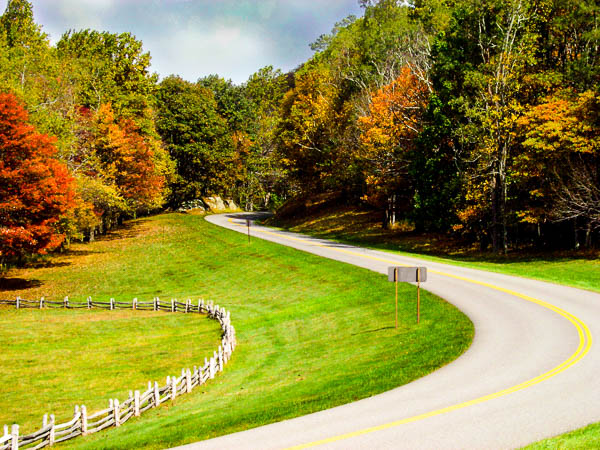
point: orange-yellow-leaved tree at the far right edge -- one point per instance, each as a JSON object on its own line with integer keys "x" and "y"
{"x": 559, "y": 166}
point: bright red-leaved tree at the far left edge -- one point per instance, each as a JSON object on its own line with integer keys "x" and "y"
{"x": 35, "y": 188}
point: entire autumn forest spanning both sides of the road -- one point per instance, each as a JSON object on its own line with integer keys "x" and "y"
{"x": 474, "y": 118}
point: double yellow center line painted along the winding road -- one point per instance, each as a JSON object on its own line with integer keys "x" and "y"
{"x": 585, "y": 343}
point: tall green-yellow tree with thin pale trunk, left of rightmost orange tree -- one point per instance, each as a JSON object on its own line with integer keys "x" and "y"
{"x": 480, "y": 64}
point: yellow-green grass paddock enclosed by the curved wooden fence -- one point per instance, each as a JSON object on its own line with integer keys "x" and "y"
{"x": 53, "y": 359}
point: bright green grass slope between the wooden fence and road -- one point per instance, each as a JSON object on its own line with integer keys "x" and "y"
{"x": 312, "y": 333}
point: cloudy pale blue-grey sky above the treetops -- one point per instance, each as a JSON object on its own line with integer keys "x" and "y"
{"x": 195, "y": 38}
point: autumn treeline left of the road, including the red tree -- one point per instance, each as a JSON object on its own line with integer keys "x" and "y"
{"x": 121, "y": 142}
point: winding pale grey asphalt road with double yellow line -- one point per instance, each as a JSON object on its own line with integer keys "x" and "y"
{"x": 532, "y": 371}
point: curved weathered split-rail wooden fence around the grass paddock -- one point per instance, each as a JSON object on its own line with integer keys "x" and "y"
{"x": 138, "y": 402}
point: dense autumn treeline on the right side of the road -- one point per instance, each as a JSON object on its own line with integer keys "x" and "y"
{"x": 480, "y": 117}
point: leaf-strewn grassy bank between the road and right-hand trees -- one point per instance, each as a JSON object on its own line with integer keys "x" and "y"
{"x": 352, "y": 226}
